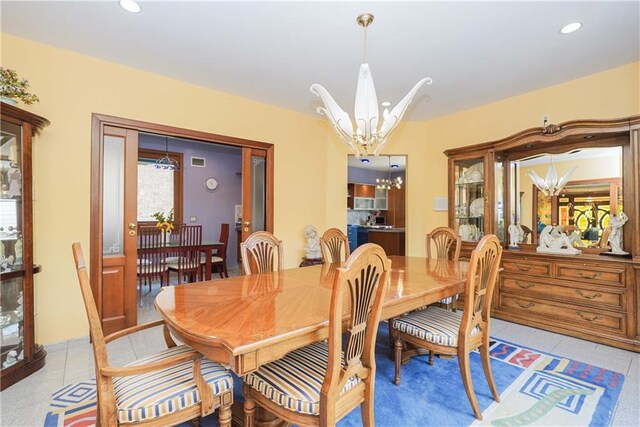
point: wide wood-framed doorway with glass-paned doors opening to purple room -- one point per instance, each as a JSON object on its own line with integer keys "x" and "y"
{"x": 215, "y": 184}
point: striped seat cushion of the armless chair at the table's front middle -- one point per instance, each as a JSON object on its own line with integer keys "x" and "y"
{"x": 294, "y": 382}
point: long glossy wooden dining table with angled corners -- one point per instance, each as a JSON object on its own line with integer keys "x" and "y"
{"x": 247, "y": 321}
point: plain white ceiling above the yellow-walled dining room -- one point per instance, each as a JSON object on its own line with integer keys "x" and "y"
{"x": 476, "y": 52}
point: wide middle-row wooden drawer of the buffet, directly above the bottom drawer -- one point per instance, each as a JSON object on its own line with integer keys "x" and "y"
{"x": 568, "y": 292}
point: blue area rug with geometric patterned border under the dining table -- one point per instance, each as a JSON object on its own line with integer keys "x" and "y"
{"x": 536, "y": 388}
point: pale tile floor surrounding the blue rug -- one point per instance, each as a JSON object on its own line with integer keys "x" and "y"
{"x": 26, "y": 403}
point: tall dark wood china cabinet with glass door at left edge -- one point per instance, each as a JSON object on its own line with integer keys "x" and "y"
{"x": 20, "y": 355}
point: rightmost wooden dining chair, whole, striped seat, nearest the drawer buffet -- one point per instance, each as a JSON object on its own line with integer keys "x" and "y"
{"x": 455, "y": 333}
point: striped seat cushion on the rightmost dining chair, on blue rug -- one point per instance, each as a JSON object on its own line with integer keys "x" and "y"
{"x": 433, "y": 324}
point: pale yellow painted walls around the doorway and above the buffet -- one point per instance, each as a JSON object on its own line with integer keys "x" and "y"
{"x": 311, "y": 164}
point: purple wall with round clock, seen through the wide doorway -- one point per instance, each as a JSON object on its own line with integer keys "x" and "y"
{"x": 210, "y": 208}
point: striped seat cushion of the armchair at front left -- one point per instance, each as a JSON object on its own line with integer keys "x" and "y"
{"x": 152, "y": 395}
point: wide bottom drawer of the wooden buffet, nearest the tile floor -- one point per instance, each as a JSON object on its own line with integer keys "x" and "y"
{"x": 563, "y": 314}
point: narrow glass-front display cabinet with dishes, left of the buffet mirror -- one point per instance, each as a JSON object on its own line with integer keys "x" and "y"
{"x": 476, "y": 195}
